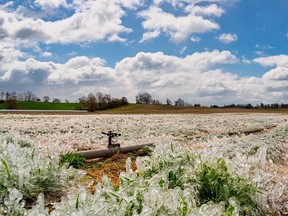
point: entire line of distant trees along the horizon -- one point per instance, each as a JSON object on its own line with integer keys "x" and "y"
{"x": 100, "y": 101}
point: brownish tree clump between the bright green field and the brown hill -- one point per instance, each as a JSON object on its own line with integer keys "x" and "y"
{"x": 100, "y": 101}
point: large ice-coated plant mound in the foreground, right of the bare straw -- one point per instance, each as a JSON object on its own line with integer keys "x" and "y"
{"x": 169, "y": 182}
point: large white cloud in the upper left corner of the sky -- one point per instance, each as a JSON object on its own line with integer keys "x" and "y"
{"x": 89, "y": 21}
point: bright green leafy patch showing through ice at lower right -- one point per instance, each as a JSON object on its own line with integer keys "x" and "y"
{"x": 214, "y": 183}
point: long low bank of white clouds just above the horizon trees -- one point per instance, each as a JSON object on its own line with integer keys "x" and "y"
{"x": 197, "y": 78}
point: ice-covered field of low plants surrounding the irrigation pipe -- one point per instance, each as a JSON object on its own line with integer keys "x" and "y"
{"x": 228, "y": 164}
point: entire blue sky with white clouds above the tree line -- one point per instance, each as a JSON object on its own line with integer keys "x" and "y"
{"x": 204, "y": 51}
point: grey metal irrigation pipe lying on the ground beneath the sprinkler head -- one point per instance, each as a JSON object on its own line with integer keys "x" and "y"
{"x": 91, "y": 154}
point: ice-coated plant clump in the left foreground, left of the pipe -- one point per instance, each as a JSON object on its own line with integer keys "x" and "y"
{"x": 25, "y": 172}
